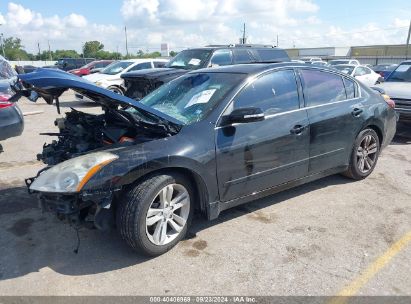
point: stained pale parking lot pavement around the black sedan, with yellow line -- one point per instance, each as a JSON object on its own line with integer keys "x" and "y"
{"x": 333, "y": 236}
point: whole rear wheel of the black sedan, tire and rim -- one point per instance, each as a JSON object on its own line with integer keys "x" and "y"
{"x": 364, "y": 155}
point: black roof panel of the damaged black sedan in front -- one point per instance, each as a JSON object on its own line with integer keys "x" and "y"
{"x": 256, "y": 68}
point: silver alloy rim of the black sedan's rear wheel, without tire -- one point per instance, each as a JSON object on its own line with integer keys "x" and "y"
{"x": 367, "y": 153}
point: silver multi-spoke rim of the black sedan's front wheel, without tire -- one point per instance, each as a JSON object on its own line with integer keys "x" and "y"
{"x": 167, "y": 214}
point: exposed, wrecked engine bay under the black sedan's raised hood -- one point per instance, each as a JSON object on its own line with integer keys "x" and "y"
{"x": 81, "y": 132}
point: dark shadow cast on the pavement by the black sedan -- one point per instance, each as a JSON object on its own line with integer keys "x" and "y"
{"x": 31, "y": 240}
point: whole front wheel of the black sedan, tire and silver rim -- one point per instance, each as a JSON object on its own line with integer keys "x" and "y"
{"x": 154, "y": 216}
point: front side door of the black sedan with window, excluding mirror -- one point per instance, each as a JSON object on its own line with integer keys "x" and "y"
{"x": 259, "y": 155}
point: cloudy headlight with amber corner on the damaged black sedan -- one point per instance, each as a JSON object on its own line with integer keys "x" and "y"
{"x": 70, "y": 176}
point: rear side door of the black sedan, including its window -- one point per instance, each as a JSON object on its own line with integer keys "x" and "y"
{"x": 335, "y": 114}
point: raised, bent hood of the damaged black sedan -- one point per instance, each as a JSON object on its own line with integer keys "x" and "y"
{"x": 50, "y": 82}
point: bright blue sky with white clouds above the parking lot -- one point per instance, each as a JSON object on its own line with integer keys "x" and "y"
{"x": 189, "y": 23}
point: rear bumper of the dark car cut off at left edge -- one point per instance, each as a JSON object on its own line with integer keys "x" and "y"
{"x": 11, "y": 122}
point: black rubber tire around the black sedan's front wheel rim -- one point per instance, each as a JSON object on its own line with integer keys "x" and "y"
{"x": 133, "y": 207}
